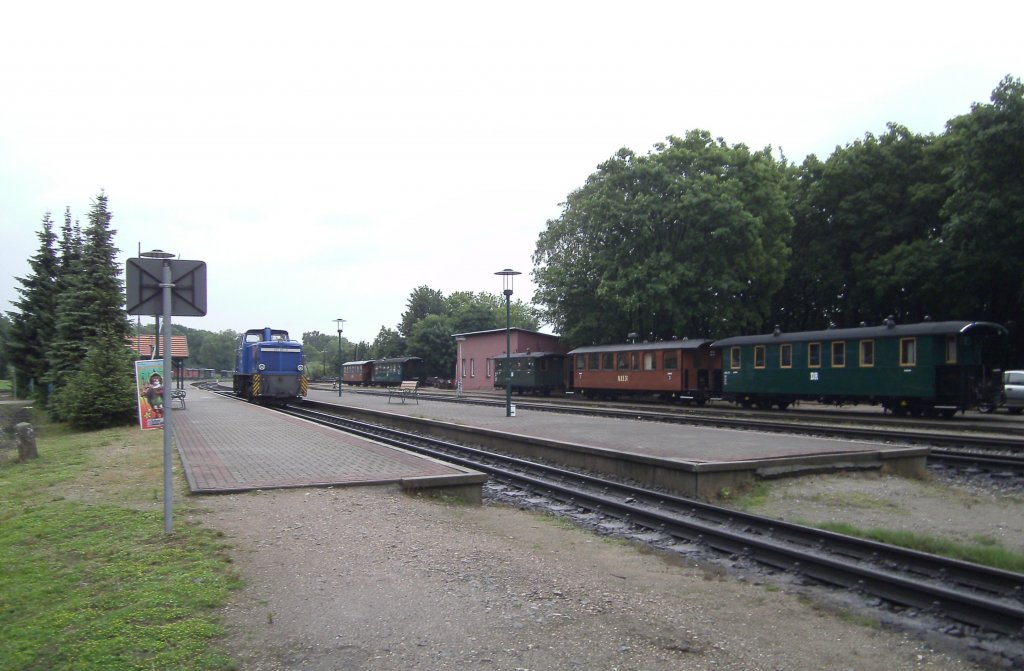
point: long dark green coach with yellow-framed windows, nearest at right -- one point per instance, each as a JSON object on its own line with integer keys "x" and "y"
{"x": 909, "y": 369}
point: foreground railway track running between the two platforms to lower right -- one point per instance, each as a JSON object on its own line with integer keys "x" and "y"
{"x": 988, "y": 599}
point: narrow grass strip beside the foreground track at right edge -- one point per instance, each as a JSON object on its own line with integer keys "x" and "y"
{"x": 984, "y": 551}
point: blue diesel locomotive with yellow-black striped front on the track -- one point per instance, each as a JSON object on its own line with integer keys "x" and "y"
{"x": 270, "y": 368}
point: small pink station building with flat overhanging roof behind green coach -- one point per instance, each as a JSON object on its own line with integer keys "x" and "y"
{"x": 476, "y": 353}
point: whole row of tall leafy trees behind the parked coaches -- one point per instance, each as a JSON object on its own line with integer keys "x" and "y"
{"x": 702, "y": 239}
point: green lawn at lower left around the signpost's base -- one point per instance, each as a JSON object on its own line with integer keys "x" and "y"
{"x": 89, "y": 578}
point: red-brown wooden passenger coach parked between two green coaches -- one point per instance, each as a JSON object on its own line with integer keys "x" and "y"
{"x": 674, "y": 370}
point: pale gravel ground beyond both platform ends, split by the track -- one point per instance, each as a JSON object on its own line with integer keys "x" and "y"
{"x": 369, "y": 578}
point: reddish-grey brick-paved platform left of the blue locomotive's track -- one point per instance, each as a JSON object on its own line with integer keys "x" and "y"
{"x": 229, "y": 446}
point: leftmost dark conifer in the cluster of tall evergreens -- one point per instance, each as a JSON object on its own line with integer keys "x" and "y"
{"x": 32, "y": 326}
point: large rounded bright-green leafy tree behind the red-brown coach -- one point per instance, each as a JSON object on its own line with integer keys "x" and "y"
{"x": 690, "y": 240}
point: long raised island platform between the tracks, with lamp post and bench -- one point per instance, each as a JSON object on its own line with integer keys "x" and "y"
{"x": 688, "y": 459}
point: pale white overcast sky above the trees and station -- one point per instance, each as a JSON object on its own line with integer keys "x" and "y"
{"x": 327, "y": 158}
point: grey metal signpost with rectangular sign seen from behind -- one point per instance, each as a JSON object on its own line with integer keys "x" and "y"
{"x": 160, "y": 284}
